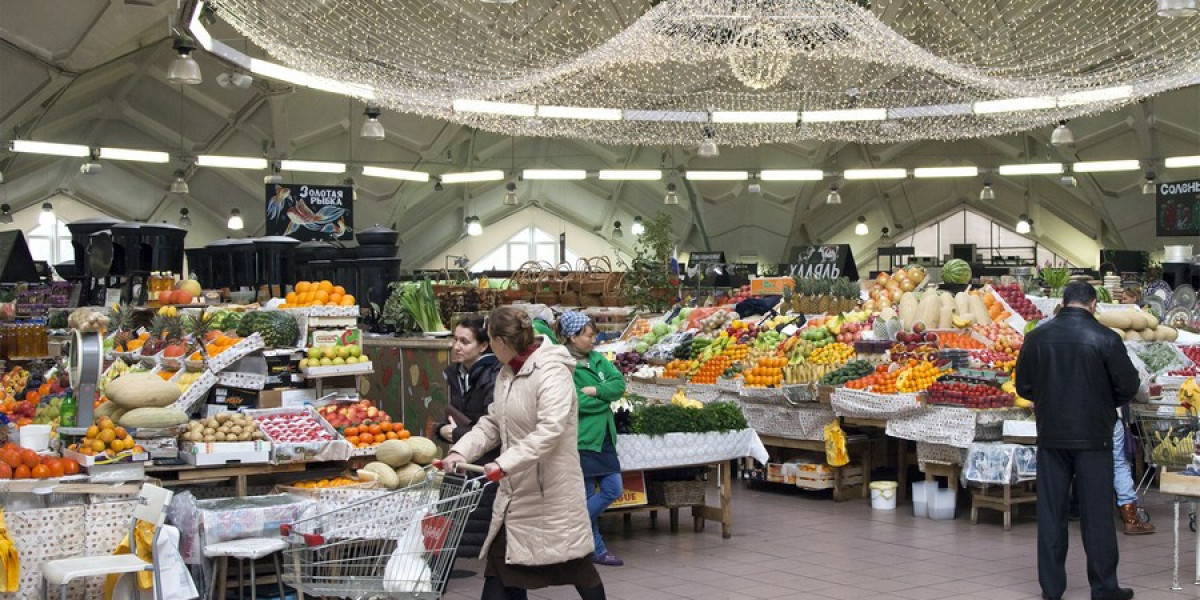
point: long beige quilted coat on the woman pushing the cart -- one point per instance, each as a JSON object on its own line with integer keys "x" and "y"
{"x": 542, "y": 500}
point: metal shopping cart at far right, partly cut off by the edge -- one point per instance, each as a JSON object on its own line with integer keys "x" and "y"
{"x": 1168, "y": 442}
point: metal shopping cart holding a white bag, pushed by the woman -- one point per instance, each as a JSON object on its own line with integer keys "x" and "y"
{"x": 401, "y": 544}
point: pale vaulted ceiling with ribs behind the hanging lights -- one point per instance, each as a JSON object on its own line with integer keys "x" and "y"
{"x": 94, "y": 73}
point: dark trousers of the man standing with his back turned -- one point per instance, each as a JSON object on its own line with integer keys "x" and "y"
{"x": 1093, "y": 475}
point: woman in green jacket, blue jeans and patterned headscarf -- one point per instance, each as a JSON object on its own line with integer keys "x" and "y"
{"x": 598, "y": 385}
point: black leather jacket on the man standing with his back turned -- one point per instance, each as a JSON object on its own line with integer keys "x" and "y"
{"x": 1077, "y": 374}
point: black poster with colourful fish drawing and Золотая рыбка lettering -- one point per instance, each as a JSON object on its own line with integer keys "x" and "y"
{"x": 310, "y": 213}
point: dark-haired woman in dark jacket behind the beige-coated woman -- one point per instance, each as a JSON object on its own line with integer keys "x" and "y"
{"x": 471, "y": 380}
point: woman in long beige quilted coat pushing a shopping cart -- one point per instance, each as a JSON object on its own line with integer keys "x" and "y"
{"x": 541, "y": 532}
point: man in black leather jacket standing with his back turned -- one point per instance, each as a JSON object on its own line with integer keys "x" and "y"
{"x": 1077, "y": 374}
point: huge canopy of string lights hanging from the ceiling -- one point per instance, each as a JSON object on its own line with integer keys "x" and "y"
{"x": 747, "y": 73}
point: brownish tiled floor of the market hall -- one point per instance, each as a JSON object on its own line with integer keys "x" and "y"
{"x": 796, "y": 545}
